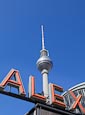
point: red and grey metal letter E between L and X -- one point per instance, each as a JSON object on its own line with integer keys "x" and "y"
{"x": 56, "y": 99}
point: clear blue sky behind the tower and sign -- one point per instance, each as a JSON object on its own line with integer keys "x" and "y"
{"x": 20, "y": 44}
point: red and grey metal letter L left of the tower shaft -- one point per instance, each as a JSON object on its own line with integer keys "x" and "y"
{"x": 32, "y": 93}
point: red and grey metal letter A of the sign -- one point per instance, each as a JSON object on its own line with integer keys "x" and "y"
{"x": 14, "y": 83}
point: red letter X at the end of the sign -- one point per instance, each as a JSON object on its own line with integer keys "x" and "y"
{"x": 77, "y": 102}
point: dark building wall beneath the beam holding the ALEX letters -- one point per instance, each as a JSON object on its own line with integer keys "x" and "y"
{"x": 40, "y": 109}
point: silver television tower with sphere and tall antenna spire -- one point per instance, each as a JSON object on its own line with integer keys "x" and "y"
{"x": 44, "y": 65}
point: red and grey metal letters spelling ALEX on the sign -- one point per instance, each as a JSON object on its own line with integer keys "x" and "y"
{"x": 53, "y": 99}
